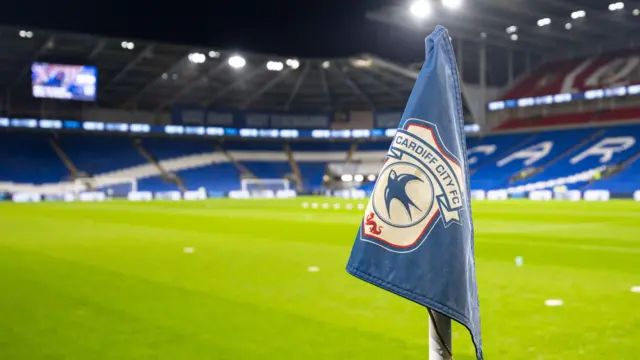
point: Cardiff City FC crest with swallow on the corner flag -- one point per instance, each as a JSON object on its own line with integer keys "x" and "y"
{"x": 420, "y": 183}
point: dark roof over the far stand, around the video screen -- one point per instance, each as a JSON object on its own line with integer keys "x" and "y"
{"x": 153, "y": 76}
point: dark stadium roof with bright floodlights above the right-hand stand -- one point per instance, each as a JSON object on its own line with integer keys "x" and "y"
{"x": 536, "y": 26}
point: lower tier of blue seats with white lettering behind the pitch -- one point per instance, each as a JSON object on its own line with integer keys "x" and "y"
{"x": 585, "y": 158}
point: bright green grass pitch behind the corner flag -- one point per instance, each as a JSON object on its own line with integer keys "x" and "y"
{"x": 112, "y": 281}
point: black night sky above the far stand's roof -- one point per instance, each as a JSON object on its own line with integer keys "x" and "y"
{"x": 303, "y": 28}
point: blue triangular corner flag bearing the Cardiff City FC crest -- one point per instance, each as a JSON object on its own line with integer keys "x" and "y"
{"x": 416, "y": 237}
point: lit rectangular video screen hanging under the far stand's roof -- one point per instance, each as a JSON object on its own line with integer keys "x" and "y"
{"x": 70, "y": 82}
